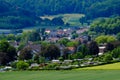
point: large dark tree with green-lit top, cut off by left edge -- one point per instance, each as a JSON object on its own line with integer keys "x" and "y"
{"x": 7, "y": 52}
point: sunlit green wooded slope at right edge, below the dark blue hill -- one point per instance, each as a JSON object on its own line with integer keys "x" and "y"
{"x": 106, "y": 26}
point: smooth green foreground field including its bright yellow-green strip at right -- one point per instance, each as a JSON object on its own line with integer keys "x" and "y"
{"x": 105, "y": 72}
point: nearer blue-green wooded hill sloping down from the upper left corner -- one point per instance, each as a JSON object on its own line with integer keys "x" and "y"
{"x": 12, "y": 17}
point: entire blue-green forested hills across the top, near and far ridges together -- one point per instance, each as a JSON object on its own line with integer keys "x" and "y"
{"x": 15, "y": 14}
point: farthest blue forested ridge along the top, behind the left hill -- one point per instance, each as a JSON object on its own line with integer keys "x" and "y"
{"x": 91, "y": 8}
